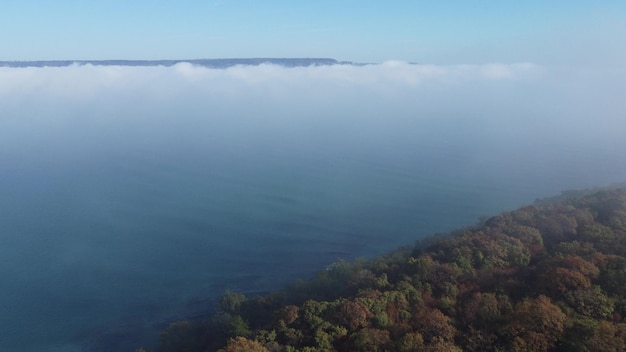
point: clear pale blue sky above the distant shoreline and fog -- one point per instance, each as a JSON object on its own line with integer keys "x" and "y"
{"x": 443, "y": 31}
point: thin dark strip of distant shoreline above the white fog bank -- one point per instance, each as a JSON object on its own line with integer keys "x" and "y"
{"x": 211, "y": 63}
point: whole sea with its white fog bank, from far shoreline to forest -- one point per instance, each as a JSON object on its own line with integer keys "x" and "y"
{"x": 131, "y": 194}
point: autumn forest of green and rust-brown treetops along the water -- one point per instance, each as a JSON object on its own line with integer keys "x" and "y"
{"x": 546, "y": 277}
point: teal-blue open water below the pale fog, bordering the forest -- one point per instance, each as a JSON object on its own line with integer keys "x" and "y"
{"x": 126, "y": 240}
